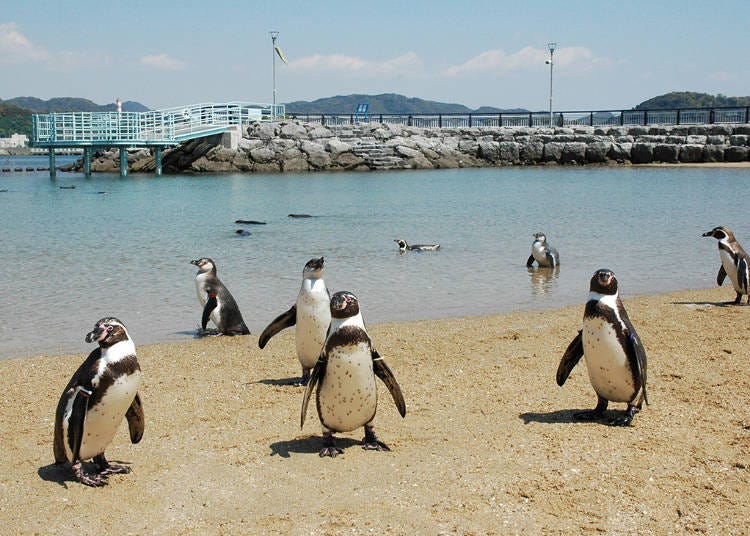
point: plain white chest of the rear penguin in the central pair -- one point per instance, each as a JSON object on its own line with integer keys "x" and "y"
{"x": 313, "y": 319}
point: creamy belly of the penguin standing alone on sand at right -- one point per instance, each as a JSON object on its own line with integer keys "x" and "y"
{"x": 607, "y": 364}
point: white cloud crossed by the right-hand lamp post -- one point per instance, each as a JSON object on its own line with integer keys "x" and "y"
{"x": 528, "y": 58}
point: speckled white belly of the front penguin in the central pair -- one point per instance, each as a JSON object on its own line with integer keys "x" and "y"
{"x": 347, "y": 398}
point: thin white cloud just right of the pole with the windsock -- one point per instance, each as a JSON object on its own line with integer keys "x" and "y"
{"x": 406, "y": 63}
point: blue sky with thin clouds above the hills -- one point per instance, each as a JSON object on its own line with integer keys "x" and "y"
{"x": 610, "y": 55}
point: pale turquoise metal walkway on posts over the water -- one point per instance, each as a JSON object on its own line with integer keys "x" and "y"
{"x": 155, "y": 128}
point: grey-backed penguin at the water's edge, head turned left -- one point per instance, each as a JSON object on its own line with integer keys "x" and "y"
{"x": 217, "y": 302}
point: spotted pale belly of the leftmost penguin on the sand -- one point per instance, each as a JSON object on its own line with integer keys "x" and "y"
{"x": 104, "y": 418}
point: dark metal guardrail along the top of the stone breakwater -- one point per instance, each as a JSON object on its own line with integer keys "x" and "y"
{"x": 682, "y": 116}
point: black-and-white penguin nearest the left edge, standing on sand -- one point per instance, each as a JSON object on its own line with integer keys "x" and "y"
{"x": 101, "y": 392}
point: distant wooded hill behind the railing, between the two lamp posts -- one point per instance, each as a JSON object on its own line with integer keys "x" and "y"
{"x": 386, "y": 103}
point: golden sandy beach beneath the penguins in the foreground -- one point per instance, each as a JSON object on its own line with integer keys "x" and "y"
{"x": 488, "y": 445}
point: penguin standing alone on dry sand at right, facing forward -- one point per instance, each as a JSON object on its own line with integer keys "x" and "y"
{"x": 615, "y": 357}
